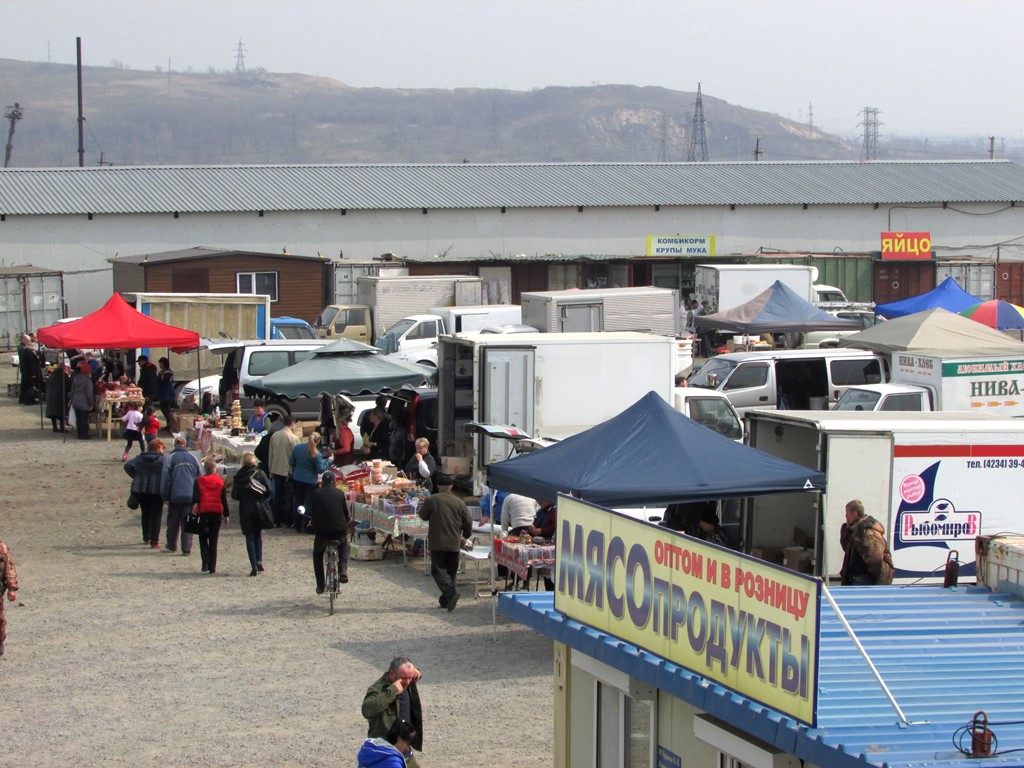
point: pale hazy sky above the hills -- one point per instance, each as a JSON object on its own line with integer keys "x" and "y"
{"x": 931, "y": 68}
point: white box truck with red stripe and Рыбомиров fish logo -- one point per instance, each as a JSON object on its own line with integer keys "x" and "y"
{"x": 935, "y": 482}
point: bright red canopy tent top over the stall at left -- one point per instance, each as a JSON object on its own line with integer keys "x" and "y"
{"x": 117, "y": 326}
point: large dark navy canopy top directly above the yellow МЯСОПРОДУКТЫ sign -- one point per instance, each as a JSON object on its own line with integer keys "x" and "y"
{"x": 651, "y": 455}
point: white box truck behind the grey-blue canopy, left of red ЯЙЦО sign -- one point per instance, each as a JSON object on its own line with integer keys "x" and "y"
{"x": 729, "y": 286}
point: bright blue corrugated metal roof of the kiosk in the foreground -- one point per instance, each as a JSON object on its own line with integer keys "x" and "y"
{"x": 945, "y": 655}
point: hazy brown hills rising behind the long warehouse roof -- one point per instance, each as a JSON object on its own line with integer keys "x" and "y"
{"x": 175, "y": 118}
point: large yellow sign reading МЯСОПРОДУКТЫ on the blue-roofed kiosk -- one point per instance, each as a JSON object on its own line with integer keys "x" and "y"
{"x": 738, "y": 621}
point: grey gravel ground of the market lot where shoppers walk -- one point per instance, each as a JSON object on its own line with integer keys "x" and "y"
{"x": 122, "y": 656}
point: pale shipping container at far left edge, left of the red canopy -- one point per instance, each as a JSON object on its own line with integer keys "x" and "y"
{"x": 31, "y": 298}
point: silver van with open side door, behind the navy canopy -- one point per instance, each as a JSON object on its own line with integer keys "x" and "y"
{"x": 791, "y": 380}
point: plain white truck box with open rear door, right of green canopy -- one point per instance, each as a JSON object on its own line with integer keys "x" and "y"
{"x": 548, "y": 386}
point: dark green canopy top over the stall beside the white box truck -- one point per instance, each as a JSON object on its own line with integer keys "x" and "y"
{"x": 345, "y": 367}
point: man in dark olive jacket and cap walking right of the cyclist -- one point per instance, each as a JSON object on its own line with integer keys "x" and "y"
{"x": 450, "y": 525}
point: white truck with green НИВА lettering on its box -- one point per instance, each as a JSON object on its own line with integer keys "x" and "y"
{"x": 940, "y": 381}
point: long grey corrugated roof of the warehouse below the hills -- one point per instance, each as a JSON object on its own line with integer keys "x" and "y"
{"x": 318, "y": 188}
